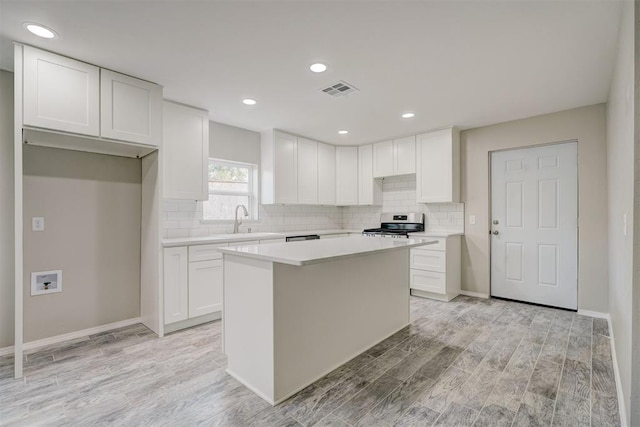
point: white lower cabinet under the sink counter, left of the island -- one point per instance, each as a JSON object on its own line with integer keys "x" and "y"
{"x": 193, "y": 279}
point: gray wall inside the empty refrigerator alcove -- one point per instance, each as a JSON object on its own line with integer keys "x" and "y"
{"x": 91, "y": 204}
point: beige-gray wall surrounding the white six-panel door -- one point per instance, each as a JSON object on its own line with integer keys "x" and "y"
{"x": 587, "y": 126}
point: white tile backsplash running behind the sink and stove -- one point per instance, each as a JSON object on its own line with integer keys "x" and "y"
{"x": 183, "y": 218}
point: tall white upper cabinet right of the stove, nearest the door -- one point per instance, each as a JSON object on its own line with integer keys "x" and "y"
{"x": 438, "y": 166}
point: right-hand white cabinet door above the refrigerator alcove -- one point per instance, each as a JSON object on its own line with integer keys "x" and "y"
{"x": 130, "y": 109}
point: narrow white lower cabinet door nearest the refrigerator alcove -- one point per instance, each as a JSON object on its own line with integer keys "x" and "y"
{"x": 175, "y": 284}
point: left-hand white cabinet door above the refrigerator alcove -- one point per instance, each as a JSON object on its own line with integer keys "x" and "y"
{"x": 60, "y": 93}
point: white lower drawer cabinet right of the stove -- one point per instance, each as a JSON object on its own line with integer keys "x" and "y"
{"x": 435, "y": 269}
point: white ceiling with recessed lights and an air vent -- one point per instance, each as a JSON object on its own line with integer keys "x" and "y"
{"x": 464, "y": 63}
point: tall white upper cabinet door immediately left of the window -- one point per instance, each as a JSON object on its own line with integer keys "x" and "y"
{"x": 185, "y": 147}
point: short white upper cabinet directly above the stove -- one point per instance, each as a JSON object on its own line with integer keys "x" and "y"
{"x": 397, "y": 157}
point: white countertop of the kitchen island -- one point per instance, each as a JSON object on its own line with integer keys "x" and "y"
{"x": 317, "y": 251}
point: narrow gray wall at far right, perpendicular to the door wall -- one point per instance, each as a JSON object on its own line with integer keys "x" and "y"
{"x": 620, "y": 146}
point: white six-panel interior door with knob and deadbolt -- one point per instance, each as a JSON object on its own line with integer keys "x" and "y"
{"x": 534, "y": 240}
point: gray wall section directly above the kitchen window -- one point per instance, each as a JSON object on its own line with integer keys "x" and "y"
{"x": 232, "y": 143}
